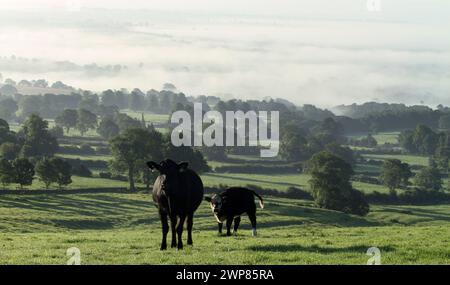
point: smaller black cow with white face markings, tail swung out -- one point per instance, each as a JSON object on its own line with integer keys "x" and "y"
{"x": 231, "y": 204}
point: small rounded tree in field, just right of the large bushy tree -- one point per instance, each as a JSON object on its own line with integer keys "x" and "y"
{"x": 394, "y": 174}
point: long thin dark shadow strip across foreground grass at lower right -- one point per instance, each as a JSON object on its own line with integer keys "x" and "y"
{"x": 315, "y": 248}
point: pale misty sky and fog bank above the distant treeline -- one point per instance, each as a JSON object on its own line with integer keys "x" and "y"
{"x": 318, "y": 52}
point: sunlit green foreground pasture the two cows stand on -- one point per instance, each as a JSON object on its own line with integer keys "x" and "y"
{"x": 119, "y": 228}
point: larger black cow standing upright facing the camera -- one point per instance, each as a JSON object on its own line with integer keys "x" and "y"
{"x": 177, "y": 192}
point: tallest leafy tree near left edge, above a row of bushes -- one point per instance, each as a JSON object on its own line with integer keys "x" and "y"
{"x": 38, "y": 141}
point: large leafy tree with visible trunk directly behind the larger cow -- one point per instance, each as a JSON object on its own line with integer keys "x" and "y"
{"x": 132, "y": 148}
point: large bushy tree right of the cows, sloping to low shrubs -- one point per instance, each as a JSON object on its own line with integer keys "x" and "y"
{"x": 331, "y": 186}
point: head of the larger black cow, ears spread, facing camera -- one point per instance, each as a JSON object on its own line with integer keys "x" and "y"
{"x": 169, "y": 173}
